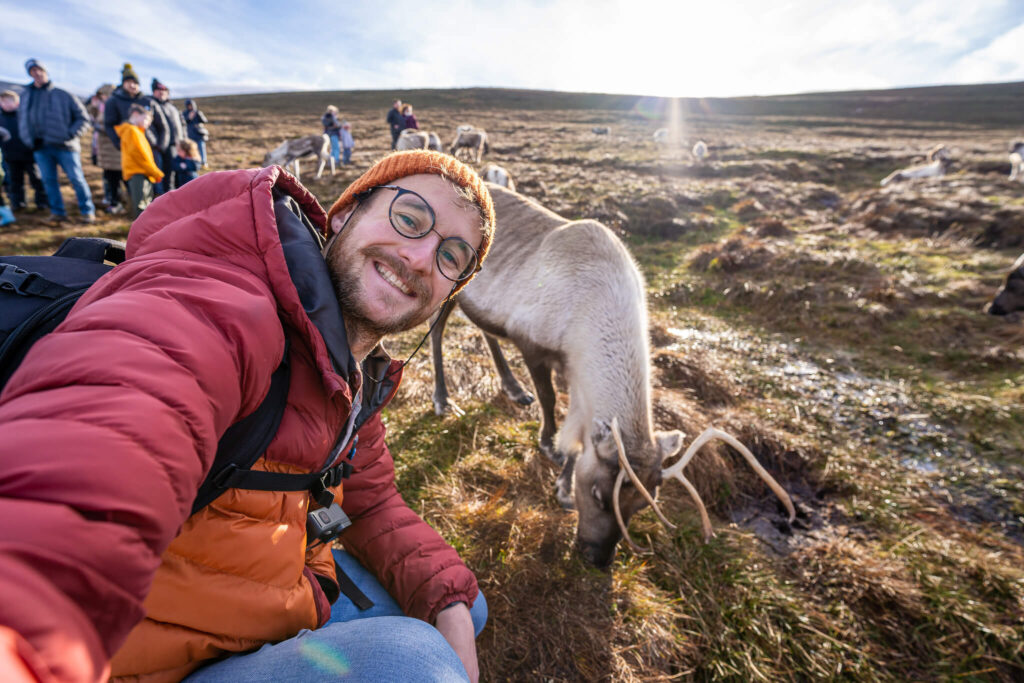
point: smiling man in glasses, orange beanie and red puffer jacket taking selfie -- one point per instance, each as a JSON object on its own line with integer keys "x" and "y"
{"x": 103, "y": 568}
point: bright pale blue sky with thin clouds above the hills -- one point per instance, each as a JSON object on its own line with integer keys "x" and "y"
{"x": 676, "y": 49}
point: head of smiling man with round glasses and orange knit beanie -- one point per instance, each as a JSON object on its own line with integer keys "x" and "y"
{"x": 406, "y": 197}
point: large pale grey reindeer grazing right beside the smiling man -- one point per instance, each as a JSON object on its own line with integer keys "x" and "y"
{"x": 582, "y": 311}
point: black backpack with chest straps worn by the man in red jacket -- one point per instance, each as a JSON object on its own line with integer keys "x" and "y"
{"x": 38, "y": 292}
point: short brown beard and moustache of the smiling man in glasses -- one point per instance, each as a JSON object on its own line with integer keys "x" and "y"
{"x": 347, "y": 274}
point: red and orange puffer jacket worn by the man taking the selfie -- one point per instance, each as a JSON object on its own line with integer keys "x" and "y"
{"x": 111, "y": 423}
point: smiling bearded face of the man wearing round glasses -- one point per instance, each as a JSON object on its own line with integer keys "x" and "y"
{"x": 388, "y": 283}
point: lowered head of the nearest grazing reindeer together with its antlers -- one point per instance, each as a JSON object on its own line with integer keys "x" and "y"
{"x": 596, "y": 535}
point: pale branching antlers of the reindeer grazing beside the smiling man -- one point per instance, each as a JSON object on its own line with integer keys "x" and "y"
{"x": 676, "y": 472}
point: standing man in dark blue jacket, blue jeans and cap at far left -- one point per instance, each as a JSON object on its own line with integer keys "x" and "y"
{"x": 50, "y": 121}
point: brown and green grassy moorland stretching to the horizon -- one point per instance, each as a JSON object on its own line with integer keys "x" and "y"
{"x": 834, "y": 326}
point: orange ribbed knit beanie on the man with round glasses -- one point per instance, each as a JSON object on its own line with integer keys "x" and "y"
{"x": 402, "y": 164}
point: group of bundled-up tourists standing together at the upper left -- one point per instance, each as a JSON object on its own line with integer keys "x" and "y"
{"x": 143, "y": 144}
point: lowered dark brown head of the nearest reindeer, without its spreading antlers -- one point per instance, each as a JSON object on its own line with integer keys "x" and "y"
{"x": 599, "y": 531}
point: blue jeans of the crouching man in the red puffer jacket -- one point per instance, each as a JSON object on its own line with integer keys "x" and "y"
{"x": 379, "y": 645}
